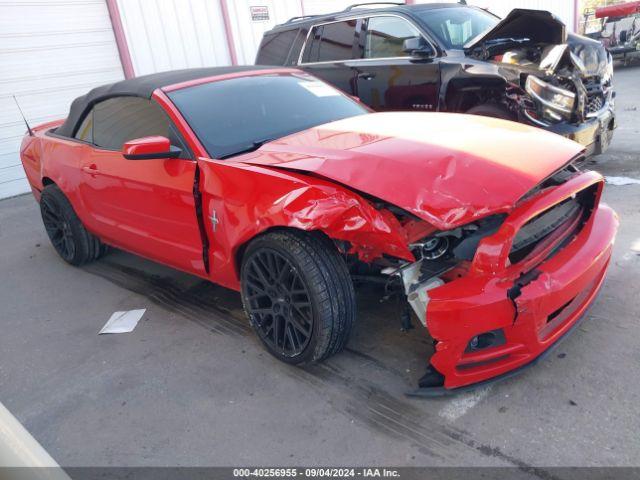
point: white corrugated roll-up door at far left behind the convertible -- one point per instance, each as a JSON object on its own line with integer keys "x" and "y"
{"x": 50, "y": 53}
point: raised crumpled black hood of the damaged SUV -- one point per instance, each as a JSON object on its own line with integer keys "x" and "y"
{"x": 538, "y": 26}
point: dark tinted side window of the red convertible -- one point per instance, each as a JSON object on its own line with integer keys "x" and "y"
{"x": 113, "y": 122}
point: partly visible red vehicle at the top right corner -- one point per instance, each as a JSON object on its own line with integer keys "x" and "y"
{"x": 619, "y": 30}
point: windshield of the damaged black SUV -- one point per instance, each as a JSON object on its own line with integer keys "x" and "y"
{"x": 455, "y": 26}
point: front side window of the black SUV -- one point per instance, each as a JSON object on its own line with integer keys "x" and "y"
{"x": 385, "y": 36}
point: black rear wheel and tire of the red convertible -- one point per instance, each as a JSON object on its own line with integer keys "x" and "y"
{"x": 65, "y": 230}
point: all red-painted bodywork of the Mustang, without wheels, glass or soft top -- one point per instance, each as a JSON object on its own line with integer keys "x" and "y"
{"x": 446, "y": 169}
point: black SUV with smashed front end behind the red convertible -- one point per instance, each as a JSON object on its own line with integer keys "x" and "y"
{"x": 458, "y": 58}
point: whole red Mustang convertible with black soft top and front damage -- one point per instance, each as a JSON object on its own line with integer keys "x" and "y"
{"x": 273, "y": 183}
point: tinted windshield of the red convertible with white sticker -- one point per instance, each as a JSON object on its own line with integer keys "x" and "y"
{"x": 233, "y": 116}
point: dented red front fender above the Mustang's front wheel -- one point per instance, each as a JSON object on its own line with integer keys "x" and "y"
{"x": 237, "y": 207}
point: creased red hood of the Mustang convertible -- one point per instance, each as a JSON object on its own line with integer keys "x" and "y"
{"x": 445, "y": 168}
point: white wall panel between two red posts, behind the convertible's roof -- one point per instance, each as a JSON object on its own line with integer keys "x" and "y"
{"x": 172, "y": 34}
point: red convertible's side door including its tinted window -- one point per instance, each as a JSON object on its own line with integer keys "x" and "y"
{"x": 143, "y": 206}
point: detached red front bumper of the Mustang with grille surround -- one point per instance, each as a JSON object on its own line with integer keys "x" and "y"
{"x": 525, "y": 308}
